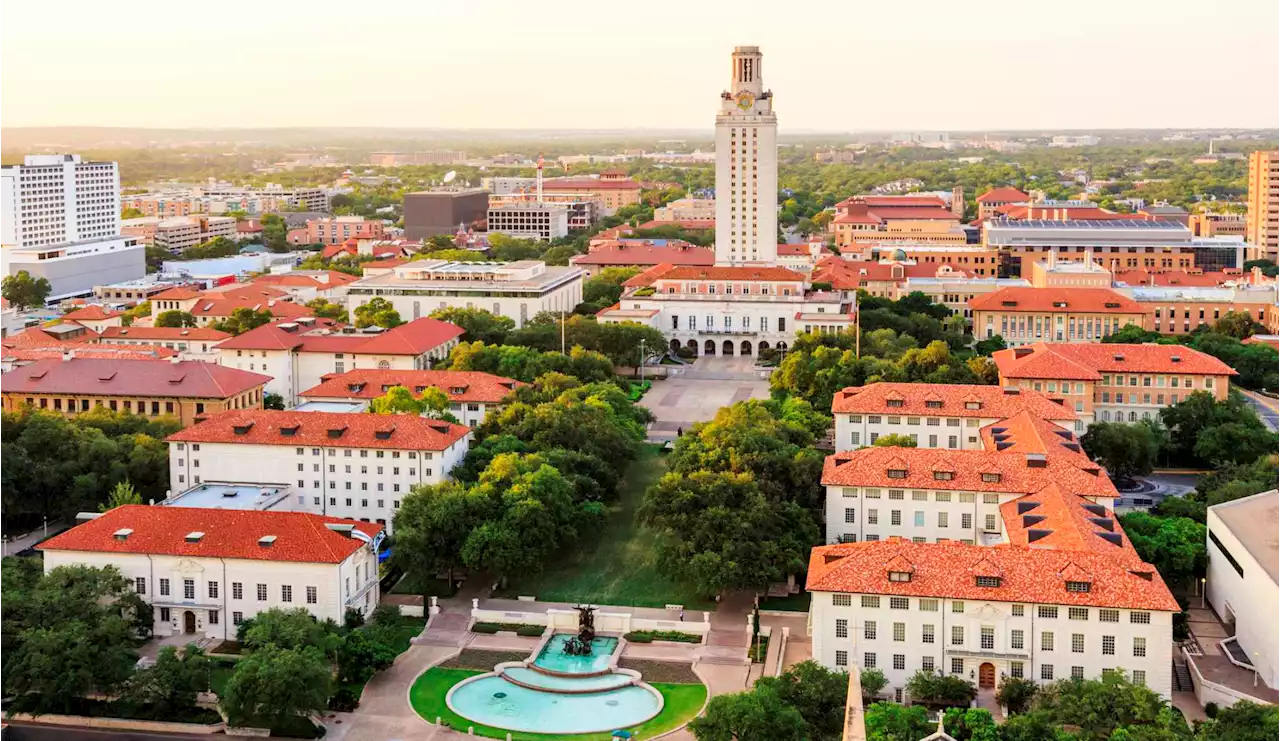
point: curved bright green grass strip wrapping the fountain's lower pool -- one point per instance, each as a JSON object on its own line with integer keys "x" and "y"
{"x": 682, "y": 703}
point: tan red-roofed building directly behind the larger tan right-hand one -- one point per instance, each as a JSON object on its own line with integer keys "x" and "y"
{"x": 1030, "y": 315}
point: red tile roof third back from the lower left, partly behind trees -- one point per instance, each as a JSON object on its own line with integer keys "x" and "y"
{"x": 369, "y": 385}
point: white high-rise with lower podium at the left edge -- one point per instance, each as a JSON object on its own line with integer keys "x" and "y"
{"x": 61, "y": 221}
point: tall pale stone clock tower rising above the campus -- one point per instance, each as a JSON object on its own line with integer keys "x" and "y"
{"x": 747, "y": 167}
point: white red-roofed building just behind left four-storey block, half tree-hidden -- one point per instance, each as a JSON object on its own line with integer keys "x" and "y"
{"x": 473, "y": 395}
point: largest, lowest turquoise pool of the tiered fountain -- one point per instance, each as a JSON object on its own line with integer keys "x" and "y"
{"x": 496, "y": 702}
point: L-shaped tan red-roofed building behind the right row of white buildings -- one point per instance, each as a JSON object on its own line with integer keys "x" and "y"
{"x": 1114, "y": 383}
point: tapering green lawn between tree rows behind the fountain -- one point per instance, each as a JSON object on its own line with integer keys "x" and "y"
{"x": 620, "y": 565}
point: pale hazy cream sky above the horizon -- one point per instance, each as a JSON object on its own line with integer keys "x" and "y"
{"x": 833, "y": 65}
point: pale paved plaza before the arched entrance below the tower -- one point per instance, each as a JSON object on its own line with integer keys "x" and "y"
{"x": 701, "y": 391}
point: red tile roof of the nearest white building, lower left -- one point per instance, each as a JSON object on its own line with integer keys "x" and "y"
{"x": 300, "y": 537}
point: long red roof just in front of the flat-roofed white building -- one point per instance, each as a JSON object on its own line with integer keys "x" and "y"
{"x": 418, "y": 337}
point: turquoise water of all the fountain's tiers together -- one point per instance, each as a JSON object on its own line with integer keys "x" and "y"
{"x": 557, "y": 693}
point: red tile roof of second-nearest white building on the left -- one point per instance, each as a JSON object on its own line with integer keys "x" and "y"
{"x": 324, "y": 429}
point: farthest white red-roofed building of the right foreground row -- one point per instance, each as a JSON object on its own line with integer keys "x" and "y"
{"x": 936, "y": 415}
